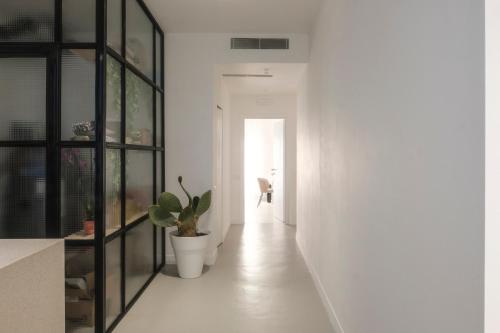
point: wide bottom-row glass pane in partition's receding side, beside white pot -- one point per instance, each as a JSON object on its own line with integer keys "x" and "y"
{"x": 138, "y": 258}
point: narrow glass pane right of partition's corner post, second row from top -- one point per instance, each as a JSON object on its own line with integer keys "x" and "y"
{"x": 113, "y": 100}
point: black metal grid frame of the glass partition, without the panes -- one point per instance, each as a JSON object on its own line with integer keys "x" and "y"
{"x": 52, "y": 52}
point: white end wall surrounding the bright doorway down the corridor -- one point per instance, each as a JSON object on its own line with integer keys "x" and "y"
{"x": 262, "y": 107}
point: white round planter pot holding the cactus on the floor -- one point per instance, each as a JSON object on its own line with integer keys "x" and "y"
{"x": 189, "y": 254}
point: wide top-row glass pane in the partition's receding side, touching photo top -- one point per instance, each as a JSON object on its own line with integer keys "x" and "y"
{"x": 139, "y": 39}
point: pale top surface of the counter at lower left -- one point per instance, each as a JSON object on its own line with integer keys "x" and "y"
{"x": 12, "y": 250}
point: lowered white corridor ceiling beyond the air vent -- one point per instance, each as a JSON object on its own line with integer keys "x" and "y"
{"x": 285, "y": 78}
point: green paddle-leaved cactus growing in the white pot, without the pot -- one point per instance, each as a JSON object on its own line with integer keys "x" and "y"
{"x": 169, "y": 211}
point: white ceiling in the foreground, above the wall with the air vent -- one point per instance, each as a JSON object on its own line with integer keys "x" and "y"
{"x": 235, "y": 16}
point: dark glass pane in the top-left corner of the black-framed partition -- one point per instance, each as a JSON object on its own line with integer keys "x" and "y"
{"x": 27, "y": 21}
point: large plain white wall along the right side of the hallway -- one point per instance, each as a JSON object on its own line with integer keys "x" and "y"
{"x": 391, "y": 165}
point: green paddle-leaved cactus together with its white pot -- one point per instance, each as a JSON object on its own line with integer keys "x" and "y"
{"x": 189, "y": 244}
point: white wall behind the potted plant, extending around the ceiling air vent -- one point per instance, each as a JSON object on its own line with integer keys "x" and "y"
{"x": 191, "y": 90}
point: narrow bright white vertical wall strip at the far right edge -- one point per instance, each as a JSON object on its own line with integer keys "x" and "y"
{"x": 492, "y": 227}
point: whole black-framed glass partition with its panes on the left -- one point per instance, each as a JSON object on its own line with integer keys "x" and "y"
{"x": 82, "y": 145}
